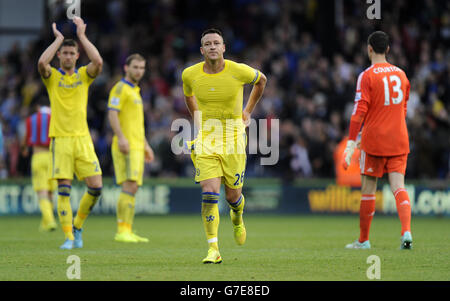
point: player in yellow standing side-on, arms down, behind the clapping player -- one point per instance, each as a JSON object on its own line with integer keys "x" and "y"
{"x": 129, "y": 147}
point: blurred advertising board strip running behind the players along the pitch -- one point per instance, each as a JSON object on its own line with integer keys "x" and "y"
{"x": 268, "y": 198}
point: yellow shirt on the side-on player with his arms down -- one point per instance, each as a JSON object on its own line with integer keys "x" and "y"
{"x": 125, "y": 98}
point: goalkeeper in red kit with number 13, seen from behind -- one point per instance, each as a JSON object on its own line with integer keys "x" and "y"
{"x": 382, "y": 94}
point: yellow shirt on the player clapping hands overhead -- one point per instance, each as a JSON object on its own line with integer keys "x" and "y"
{"x": 68, "y": 96}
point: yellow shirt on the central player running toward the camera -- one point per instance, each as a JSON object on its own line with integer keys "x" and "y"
{"x": 219, "y": 97}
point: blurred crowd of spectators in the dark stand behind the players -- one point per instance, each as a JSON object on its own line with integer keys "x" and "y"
{"x": 312, "y": 68}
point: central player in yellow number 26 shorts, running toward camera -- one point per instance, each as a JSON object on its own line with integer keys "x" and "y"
{"x": 213, "y": 92}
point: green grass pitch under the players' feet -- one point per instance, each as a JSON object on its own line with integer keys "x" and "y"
{"x": 277, "y": 248}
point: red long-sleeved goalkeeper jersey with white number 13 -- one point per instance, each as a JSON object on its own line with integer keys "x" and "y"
{"x": 382, "y": 94}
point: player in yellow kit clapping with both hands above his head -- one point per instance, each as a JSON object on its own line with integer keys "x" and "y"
{"x": 71, "y": 144}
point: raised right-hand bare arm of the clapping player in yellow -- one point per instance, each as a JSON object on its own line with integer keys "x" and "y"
{"x": 95, "y": 66}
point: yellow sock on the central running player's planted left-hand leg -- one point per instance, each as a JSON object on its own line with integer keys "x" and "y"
{"x": 210, "y": 217}
